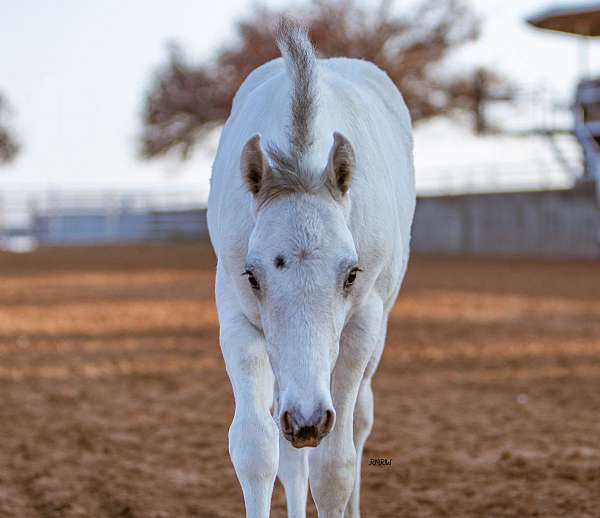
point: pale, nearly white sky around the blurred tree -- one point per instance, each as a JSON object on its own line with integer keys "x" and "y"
{"x": 75, "y": 73}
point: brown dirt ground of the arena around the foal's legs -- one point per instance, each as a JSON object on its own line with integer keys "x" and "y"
{"x": 114, "y": 400}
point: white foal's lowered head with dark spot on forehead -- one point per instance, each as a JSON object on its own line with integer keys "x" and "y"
{"x": 302, "y": 265}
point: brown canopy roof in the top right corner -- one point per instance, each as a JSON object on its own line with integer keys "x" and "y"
{"x": 581, "y": 20}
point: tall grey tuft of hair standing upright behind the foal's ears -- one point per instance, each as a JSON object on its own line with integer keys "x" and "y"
{"x": 301, "y": 62}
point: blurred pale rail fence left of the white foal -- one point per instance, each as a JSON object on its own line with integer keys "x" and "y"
{"x": 68, "y": 217}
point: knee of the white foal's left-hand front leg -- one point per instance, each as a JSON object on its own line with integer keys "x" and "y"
{"x": 253, "y": 446}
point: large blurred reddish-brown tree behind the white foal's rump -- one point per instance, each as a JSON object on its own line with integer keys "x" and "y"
{"x": 186, "y": 101}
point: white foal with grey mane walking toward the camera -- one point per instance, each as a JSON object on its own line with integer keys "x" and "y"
{"x": 310, "y": 209}
